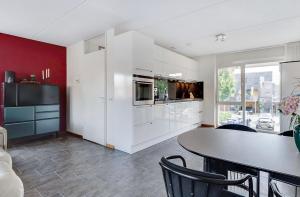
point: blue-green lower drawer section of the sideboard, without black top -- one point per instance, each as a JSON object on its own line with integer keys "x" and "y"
{"x": 31, "y": 120}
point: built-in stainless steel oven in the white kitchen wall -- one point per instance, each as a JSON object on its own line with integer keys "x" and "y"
{"x": 143, "y": 90}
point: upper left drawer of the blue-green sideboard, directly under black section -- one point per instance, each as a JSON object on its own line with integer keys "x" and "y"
{"x": 18, "y": 114}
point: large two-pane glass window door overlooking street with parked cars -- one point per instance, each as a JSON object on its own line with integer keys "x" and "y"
{"x": 249, "y": 95}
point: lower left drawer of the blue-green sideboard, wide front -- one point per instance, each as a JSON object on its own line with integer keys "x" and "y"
{"x": 17, "y": 130}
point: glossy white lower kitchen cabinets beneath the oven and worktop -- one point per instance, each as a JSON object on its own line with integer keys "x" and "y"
{"x": 160, "y": 120}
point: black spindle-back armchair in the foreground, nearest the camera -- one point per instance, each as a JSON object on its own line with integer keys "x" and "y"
{"x": 181, "y": 181}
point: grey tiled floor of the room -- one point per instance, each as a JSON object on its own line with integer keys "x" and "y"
{"x": 71, "y": 167}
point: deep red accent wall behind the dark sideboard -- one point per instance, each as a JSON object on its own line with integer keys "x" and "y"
{"x": 25, "y": 57}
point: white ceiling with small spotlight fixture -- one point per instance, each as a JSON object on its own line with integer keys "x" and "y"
{"x": 188, "y": 25}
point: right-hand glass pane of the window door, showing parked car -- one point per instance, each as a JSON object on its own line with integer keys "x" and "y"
{"x": 262, "y": 95}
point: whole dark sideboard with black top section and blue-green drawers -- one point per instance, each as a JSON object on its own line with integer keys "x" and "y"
{"x": 30, "y": 109}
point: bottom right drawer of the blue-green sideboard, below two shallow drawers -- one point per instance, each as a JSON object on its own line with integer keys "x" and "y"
{"x": 47, "y": 126}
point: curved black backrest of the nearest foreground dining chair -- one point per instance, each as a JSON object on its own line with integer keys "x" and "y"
{"x": 181, "y": 181}
